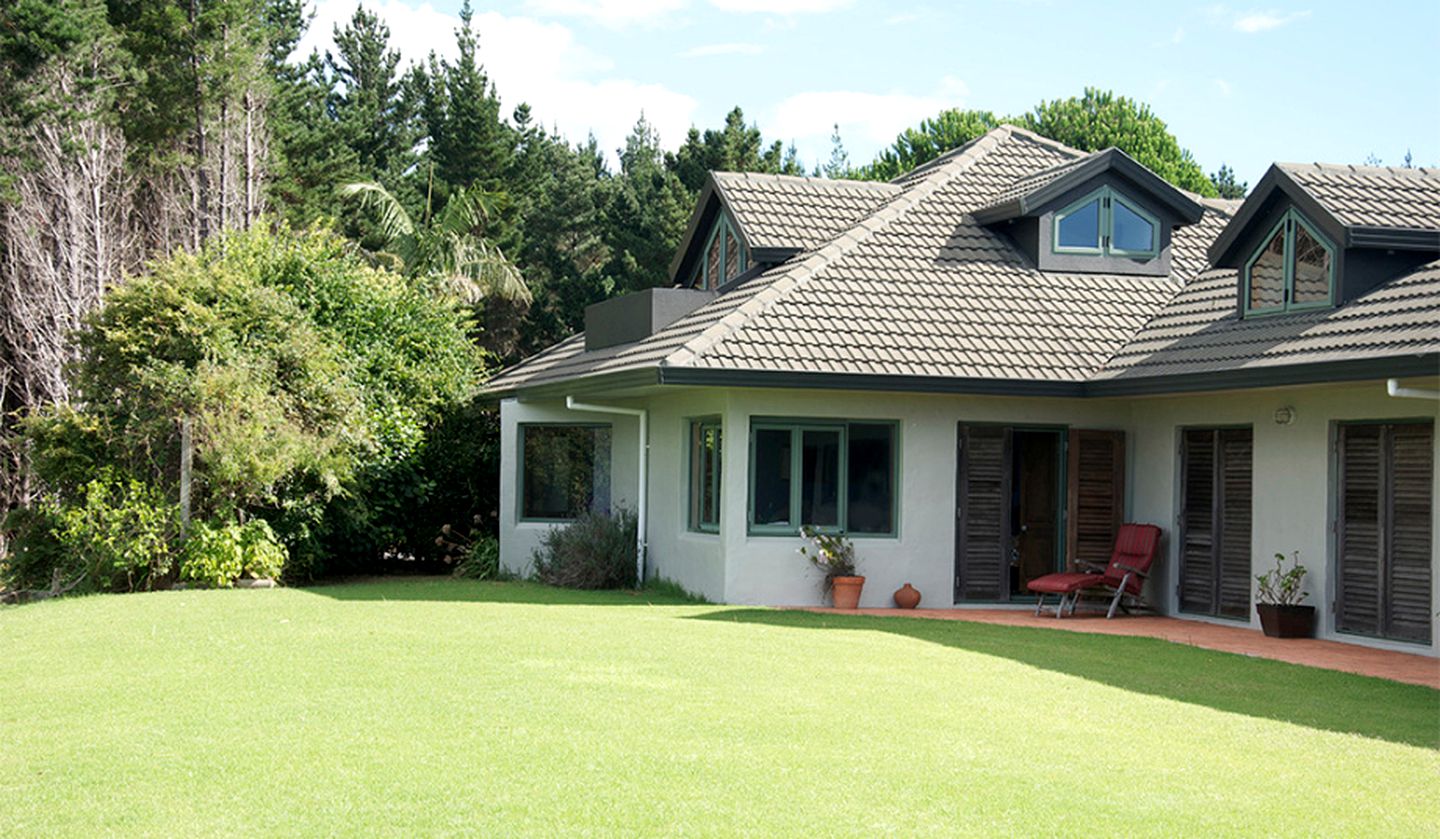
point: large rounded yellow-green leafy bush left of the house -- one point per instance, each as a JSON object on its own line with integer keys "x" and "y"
{"x": 310, "y": 381}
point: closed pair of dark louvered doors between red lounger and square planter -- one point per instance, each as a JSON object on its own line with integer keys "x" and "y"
{"x": 1215, "y": 523}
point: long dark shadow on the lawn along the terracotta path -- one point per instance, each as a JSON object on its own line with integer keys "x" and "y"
{"x": 1311, "y": 697}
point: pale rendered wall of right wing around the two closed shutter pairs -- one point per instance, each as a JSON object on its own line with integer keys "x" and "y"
{"x": 1294, "y": 481}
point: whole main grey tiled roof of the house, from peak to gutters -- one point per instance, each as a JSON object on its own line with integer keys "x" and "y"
{"x": 917, "y": 287}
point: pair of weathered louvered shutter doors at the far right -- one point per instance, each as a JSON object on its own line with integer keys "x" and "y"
{"x": 1385, "y": 540}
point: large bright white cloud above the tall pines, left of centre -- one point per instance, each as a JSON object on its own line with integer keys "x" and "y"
{"x": 531, "y": 61}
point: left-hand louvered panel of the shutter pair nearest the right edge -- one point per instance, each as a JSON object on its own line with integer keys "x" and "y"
{"x": 1359, "y": 532}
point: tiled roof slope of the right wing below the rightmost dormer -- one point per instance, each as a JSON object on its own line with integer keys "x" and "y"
{"x": 1199, "y": 332}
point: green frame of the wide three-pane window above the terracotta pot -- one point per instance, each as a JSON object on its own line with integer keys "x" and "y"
{"x": 847, "y": 434}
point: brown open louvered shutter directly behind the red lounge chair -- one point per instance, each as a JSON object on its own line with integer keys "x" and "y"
{"x": 1097, "y": 494}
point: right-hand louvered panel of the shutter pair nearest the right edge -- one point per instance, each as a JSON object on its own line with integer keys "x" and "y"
{"x": 1408, "y": 514}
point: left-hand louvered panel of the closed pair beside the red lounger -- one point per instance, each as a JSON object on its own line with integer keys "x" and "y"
{"x": 1199, "y": 526}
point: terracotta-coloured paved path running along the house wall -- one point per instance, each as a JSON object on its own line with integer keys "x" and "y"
{"x": 1416, "y": 670}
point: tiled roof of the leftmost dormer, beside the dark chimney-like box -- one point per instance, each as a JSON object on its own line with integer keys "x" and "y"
{"x": 800, "y": 214}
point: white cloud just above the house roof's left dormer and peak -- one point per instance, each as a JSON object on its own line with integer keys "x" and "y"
{"x": 866, "y": 120}
